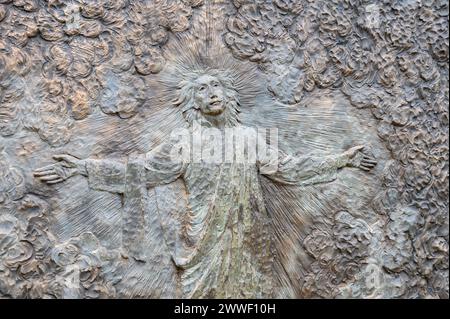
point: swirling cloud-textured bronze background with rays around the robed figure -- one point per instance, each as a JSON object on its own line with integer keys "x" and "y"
{"x": 96, "y": 78}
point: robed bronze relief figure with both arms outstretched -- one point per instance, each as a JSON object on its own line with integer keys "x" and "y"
{"x": 225, "y": 247}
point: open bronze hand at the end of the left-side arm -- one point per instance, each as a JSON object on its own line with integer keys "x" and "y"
{"x": 65, "y": 167}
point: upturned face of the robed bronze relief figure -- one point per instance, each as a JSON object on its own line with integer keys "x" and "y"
{"x": 209, "y": 95}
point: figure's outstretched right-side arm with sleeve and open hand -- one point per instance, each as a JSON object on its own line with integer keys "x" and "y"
{"x": 308, "y": 170}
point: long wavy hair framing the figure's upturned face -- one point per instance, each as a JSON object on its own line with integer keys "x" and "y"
{"x": 191, "y": 111}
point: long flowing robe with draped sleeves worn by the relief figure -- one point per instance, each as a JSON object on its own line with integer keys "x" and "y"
{"x": 224, "y": 247}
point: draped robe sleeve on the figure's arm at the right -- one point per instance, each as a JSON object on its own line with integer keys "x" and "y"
{"x": 299, "y": 170}
